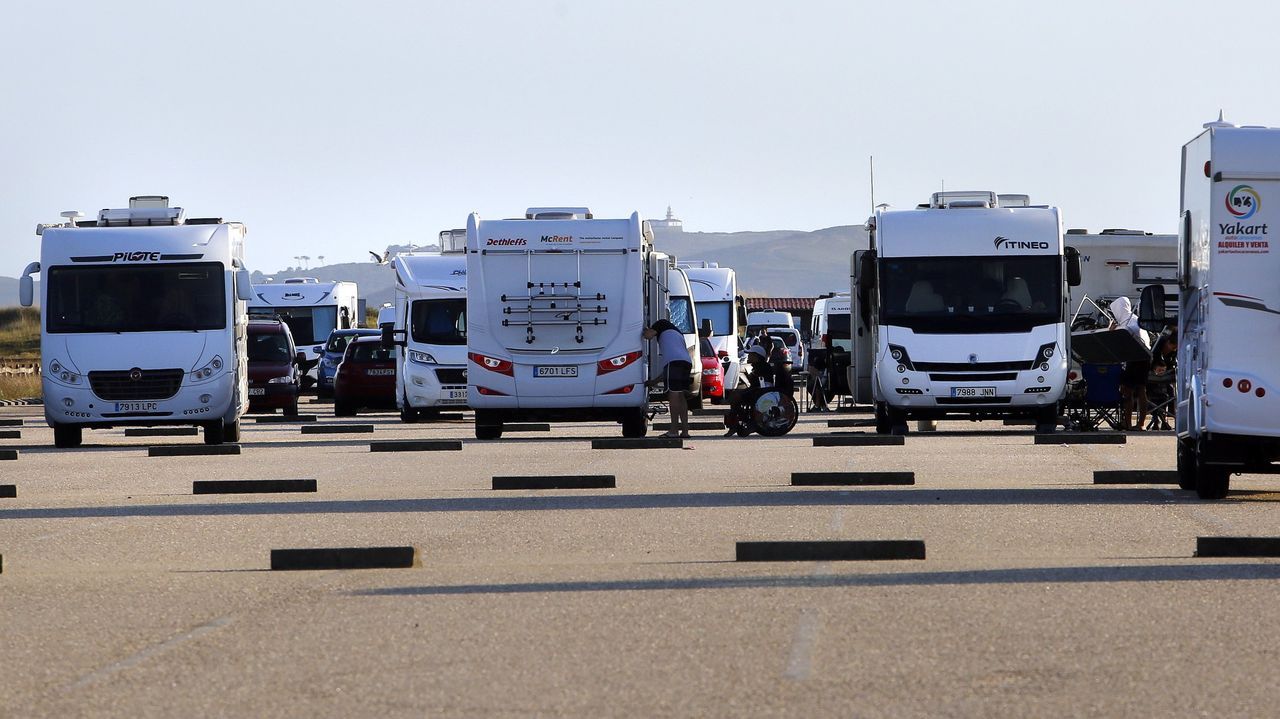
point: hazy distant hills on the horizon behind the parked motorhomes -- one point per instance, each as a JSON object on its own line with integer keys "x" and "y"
{"x": 770, "y": 264}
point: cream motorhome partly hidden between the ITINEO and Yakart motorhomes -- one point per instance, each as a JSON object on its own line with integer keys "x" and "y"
{"x": 1119, "y": 263}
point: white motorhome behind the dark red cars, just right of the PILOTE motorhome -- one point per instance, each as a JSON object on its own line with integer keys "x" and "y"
{"x": 312, "y": 309}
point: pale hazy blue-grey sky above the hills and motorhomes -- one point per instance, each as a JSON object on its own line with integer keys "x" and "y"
{"x": 332, "y": 129}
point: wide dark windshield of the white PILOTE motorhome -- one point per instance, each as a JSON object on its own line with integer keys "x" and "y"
{"x": 138, "y": 299}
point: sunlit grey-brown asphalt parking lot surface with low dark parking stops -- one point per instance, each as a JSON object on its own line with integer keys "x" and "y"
{"x": 1043, "y": 594}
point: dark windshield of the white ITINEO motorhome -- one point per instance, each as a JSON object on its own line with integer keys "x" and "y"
{"x": 971, "y": 295}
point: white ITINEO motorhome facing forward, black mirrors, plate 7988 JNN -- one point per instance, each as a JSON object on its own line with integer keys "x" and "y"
{"x": 963, "y": 305}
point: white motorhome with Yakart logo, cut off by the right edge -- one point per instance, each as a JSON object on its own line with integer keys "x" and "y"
{"x": 1228, "y": 378}
